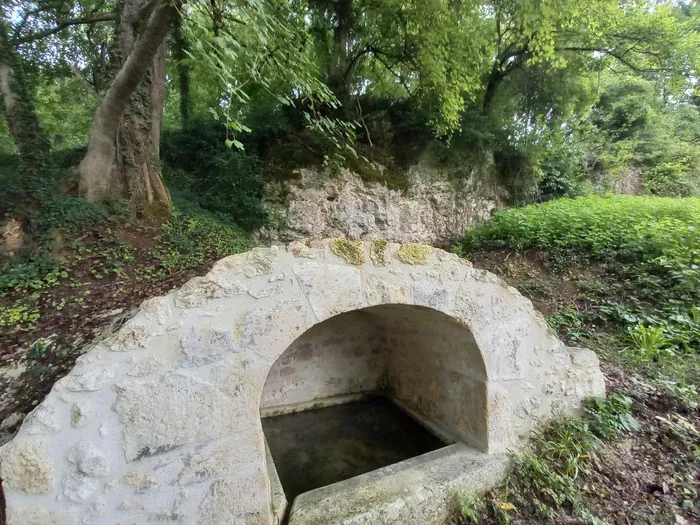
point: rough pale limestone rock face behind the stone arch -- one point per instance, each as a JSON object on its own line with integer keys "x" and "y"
{"x": 433, "y": 209}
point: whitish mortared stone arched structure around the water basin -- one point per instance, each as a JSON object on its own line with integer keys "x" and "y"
{"x": 161, "y": 422}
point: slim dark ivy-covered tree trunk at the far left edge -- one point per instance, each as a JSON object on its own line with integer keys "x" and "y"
{"x": 23, "y": 124}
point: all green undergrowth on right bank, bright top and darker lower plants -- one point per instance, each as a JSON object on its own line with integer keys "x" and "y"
{"x": 645, "y": 313}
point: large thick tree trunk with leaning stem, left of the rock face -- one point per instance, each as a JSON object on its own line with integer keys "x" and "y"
{"x": 122, "y": 157}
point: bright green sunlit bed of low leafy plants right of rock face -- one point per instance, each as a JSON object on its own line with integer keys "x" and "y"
{"x": 624, "y": 227}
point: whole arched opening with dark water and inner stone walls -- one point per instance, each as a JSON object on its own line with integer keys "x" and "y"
{"x": 369, "y": 388}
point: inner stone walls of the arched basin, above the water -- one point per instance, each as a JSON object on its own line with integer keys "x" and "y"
{"x": 423, "y": 359}
